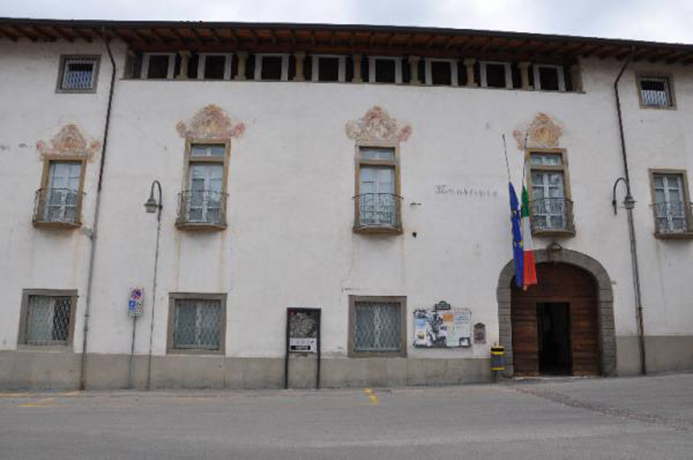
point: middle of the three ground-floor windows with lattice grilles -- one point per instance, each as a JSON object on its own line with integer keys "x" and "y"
{"x": 197, "y": 323}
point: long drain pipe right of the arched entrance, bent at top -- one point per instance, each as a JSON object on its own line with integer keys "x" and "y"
{"x": 629, "y": 204}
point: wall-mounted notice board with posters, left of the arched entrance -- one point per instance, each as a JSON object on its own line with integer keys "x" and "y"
{"x": 442, "y": 327}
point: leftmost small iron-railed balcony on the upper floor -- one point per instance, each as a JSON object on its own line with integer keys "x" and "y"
{"x": 58, "y": 207}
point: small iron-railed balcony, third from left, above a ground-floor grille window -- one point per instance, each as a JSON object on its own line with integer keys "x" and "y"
{"x": 378, "y": 213}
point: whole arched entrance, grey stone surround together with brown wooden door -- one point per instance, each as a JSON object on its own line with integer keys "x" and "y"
{"x": 584, "y": 281}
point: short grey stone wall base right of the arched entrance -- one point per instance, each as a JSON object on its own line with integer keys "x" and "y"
{"x": 664, "y": 353}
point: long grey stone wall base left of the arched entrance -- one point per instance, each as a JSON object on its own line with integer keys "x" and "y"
{"x": 57, "y": 370}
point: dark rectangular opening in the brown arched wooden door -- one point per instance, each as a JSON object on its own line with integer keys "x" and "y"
{"x": 553, "y": 324}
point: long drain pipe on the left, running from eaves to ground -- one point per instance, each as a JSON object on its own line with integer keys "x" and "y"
{"x": 93, "y": 233}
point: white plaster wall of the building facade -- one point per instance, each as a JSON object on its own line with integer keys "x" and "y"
{"x": 289, "y": 241}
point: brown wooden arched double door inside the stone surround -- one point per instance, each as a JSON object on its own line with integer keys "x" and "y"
{"x": 555, "y": 327}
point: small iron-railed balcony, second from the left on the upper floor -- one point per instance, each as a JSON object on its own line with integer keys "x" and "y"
{"x": 201, "y": 210}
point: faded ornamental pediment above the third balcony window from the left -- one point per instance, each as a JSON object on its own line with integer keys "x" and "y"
{"x": 377, "y": 126}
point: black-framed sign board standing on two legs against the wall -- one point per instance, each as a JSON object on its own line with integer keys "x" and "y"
{"x": 302, "y": 336}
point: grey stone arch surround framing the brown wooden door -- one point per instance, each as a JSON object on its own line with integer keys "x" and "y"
{"x": 605, "y": 301}
